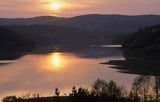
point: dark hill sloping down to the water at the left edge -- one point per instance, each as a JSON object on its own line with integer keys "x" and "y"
{"x": 13, "y": 44}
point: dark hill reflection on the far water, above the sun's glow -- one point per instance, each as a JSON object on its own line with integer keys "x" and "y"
{"x": 84, "y": 50}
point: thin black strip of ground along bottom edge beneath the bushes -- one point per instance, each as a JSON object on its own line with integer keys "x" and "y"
{"x": 74, "y": 99}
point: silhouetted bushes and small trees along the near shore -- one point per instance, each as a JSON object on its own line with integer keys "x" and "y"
{"x": 144, "y": 88}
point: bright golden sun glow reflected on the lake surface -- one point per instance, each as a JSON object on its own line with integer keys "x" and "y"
{"x": 57, "y": 61}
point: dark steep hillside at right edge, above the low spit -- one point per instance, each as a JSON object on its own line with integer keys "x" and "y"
{"x": 144, "y": 44}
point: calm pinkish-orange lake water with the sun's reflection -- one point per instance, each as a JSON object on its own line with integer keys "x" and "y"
{"x": 43, "y": 72}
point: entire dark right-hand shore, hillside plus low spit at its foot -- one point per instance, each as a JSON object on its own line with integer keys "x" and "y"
{"x": 141, "y": 51}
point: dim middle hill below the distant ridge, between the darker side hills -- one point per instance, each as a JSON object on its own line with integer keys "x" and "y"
{"x": 51, "y": 34}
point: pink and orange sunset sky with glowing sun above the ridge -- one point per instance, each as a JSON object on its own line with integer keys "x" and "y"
{"x": 68, "y": 8}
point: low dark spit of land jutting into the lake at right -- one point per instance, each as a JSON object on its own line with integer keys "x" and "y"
{"x": 135, "y": 67}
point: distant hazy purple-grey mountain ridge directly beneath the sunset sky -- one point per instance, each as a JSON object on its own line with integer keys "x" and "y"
{"x": 102, "y": 23}
